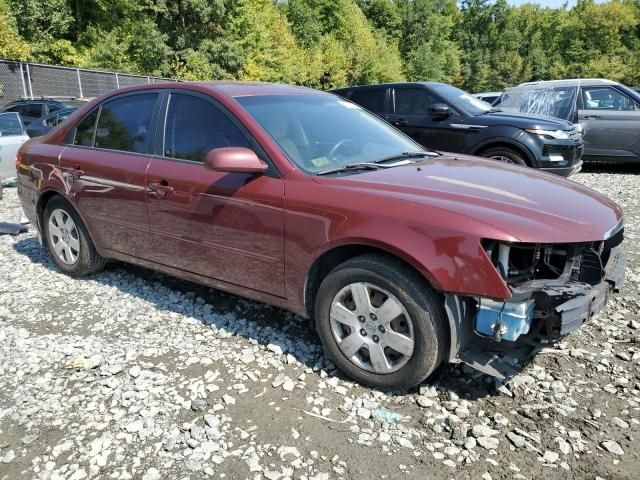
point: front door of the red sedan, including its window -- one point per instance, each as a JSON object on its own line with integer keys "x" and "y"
{"x": 226, "y": 226}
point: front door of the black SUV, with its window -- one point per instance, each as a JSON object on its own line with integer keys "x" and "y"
{"x": 411, "y": 115}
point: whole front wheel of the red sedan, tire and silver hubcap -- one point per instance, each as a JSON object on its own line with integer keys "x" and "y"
{"x": 380, "y": 322}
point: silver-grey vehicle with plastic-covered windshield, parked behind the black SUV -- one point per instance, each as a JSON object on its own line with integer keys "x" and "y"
{"x": 609, "y": 113}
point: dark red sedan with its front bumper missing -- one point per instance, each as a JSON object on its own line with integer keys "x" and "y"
{"x": 402, "y": 256}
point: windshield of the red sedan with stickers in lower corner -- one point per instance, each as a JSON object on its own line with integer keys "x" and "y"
{"x": 321, "y": 132}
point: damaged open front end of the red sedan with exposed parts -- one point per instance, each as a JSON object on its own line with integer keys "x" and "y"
{"x": 555, "y": 289}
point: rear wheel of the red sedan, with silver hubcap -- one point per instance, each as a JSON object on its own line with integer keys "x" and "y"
{"x": 68, "y": 241}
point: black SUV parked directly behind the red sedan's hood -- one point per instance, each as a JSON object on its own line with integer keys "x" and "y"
{"x": 446, "y": 118}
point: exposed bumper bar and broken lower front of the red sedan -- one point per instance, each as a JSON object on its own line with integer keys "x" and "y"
{"x": 561, "y": 306}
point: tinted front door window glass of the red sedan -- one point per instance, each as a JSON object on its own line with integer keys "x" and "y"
{"x": 195, "y": 126}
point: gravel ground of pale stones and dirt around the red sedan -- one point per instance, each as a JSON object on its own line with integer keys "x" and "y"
{"x": 133, "y": 374}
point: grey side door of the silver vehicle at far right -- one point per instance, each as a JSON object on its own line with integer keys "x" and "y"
{"x": 612, "y": 124}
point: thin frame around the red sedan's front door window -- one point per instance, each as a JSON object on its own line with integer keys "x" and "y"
{"x": 161, "y": 124}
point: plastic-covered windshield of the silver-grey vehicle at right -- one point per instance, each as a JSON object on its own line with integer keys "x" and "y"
{"x": 556, "y": 102}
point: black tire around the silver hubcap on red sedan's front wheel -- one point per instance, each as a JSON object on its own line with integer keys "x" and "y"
{"x": 421, "y": 302}
